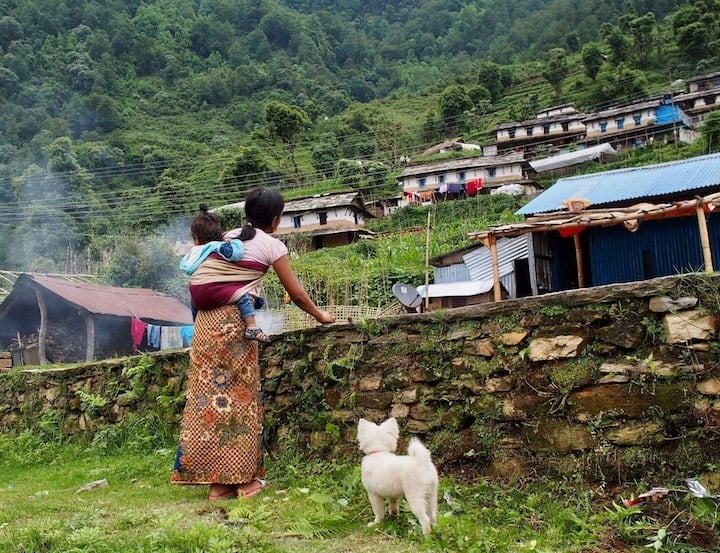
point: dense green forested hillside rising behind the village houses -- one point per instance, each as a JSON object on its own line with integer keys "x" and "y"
{"x": 118, "y": 118}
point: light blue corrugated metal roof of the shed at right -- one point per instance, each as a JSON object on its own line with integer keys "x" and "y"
{"x": 635, "y": 183}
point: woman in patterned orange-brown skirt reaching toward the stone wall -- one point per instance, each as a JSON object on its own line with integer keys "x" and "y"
{"x": 221, "y": 434}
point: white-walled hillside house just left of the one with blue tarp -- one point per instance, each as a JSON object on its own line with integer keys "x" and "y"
{"x": 552, "y": 127}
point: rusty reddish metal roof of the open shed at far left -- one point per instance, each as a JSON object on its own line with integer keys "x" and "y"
{"x": 141, "y": 303}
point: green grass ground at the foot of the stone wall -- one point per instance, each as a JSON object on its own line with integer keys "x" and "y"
{"x": 310, "y": 506}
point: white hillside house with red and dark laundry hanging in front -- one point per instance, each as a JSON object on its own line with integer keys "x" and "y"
{"x": 428, "y": 182}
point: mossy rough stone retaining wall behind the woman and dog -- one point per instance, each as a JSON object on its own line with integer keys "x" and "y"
{"x": 610, "y": 383}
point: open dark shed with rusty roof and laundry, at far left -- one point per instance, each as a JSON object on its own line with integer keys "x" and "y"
{"x": 52, "y": 320}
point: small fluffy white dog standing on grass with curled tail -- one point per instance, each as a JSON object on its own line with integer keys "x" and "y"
{"x": 386, "y": 475}
